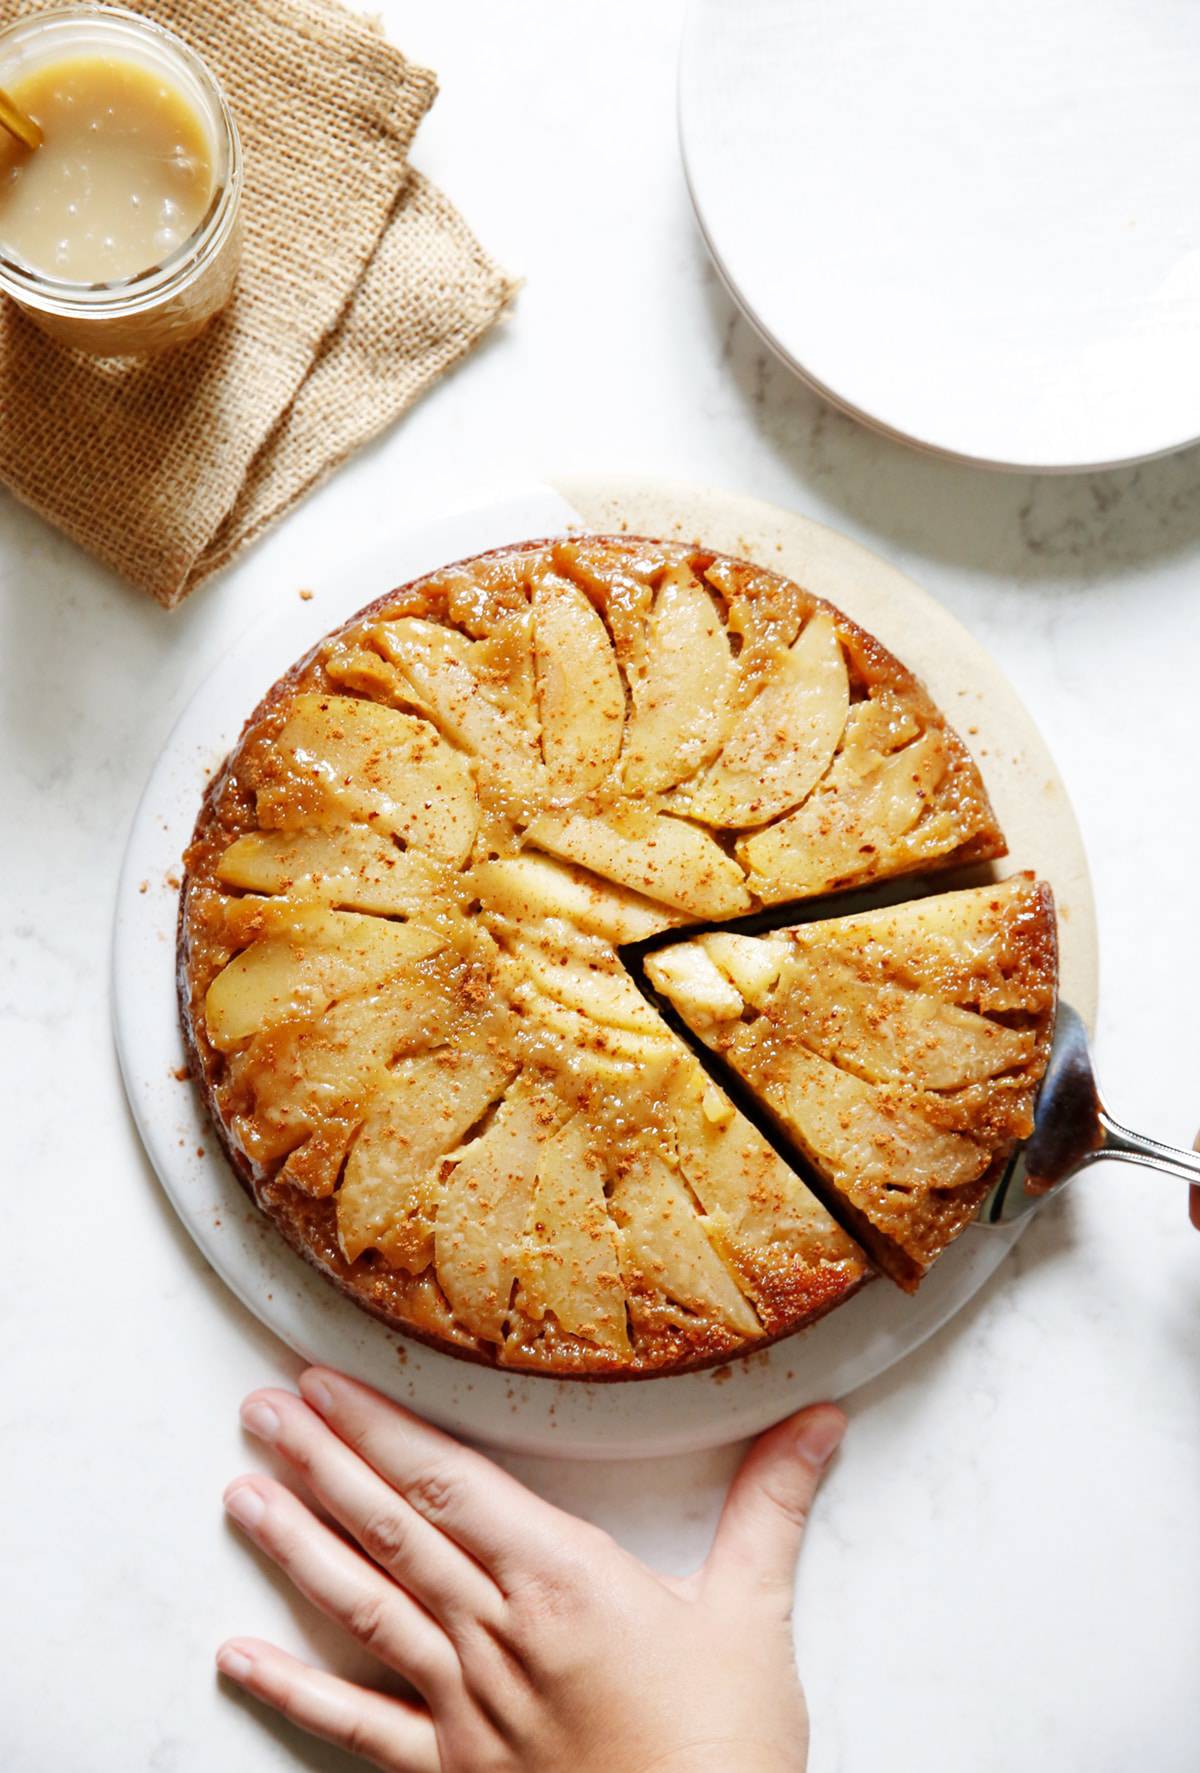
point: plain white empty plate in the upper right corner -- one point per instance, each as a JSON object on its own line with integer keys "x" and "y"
{"x": 974, "y": 226}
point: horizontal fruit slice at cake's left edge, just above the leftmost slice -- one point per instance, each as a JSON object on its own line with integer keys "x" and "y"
{"x": 352, "y": 868}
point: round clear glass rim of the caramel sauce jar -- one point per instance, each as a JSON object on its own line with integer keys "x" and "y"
{"x": 157, "y": 283}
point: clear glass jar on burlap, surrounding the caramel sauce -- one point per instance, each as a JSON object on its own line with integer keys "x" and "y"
{"x": 169, "y": 302}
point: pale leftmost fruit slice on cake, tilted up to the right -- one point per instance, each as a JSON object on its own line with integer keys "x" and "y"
{"x": 329, "y": 955}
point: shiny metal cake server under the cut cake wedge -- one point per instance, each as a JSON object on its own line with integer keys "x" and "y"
{"x": 1073, "y": 1130}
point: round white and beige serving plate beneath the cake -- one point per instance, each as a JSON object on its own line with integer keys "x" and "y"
{"x": 511, "y": 1410}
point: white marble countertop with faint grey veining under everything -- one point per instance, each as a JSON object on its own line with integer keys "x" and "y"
{"x": 1004, "y": 1570}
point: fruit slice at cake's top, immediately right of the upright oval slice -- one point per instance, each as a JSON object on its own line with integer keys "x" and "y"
{"x": 682, "y": 689}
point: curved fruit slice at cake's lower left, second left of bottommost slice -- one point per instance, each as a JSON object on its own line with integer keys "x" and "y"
{"x": 393, "y": 1183}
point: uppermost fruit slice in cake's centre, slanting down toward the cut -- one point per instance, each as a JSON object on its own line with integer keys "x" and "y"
{"x": 651, "y": 854}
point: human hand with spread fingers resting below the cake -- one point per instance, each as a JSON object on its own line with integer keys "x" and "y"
{"x": 534, "y": 1643}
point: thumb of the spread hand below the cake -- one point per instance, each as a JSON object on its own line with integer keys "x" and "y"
{"x": 763, "y": 1522}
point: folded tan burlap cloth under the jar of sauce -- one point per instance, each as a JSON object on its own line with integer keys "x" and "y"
{"x": 361, "y": 286}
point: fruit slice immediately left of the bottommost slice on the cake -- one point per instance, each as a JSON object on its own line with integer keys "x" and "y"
{"x": 485, "y": 1208}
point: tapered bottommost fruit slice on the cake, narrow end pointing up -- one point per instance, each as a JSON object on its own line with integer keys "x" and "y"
{"x": 570, "y": 1263}
